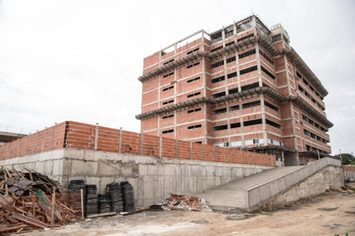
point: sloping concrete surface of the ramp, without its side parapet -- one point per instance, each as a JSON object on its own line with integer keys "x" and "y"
{"x": 234, "y": 194}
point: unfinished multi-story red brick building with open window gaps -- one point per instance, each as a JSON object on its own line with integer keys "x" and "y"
{"x": 242, "y": 86}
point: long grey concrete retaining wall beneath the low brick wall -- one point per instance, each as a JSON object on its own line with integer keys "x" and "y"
{"x": 152, "y": 178}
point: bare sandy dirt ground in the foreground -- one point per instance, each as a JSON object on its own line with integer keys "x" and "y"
{"x": 329, "y": 214}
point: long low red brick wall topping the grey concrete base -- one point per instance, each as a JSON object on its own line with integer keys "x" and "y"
{"x": 72, "y": 134}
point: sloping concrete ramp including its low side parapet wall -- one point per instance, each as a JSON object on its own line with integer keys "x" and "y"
{"x": 250, "y": 192}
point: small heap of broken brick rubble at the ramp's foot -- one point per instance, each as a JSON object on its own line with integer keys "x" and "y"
{"x": 185, "y": 202}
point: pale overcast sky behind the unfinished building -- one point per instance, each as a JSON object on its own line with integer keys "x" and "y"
{"x": 80, "y": 60}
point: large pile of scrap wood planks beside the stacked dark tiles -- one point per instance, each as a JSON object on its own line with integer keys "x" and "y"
{"x": 30, "y": 200}
